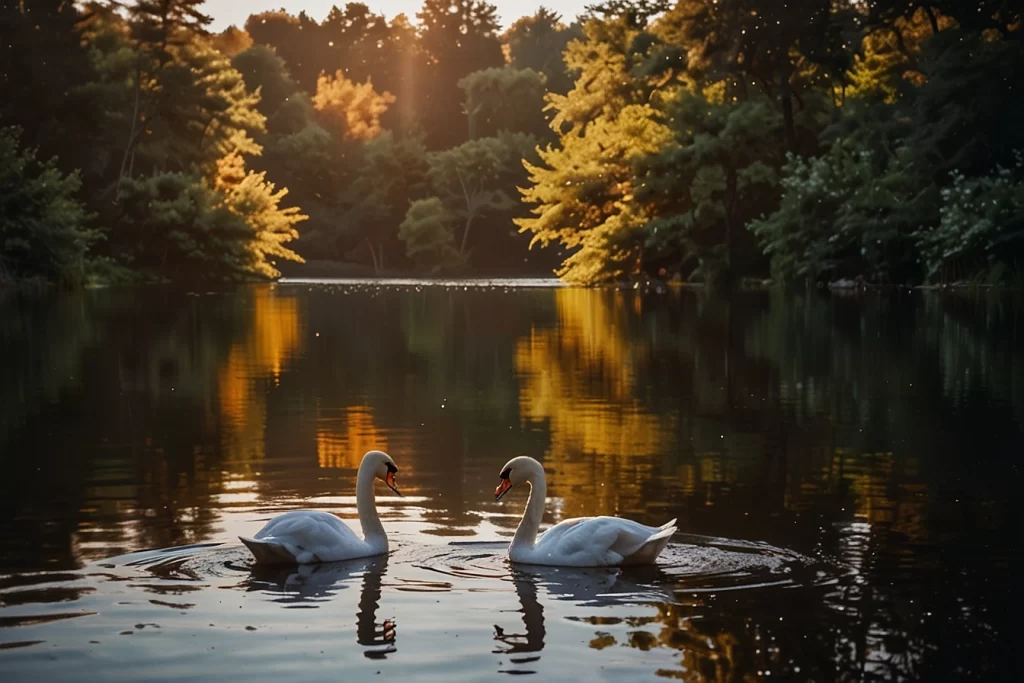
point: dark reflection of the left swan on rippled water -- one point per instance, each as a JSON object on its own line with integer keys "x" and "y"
{"x": 306, "y": 586}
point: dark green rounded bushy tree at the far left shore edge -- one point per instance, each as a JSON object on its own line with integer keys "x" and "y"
{"x": 44, "y": 227}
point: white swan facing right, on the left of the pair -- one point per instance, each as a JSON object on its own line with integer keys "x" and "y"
{"x": 307, "y": 537}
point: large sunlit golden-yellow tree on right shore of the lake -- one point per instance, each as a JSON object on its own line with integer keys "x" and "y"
{"x": 584, "y": 189}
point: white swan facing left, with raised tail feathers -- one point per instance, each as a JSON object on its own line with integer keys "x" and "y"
{"x": 583, "y": 542}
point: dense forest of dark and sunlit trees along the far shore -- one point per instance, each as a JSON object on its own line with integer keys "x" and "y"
{"x": 874, "y": 142}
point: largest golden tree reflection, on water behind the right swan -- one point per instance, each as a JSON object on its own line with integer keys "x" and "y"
{"x": 578, "y": 380}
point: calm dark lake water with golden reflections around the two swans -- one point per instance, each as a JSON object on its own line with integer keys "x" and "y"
{"x": 844, "y": 472}
